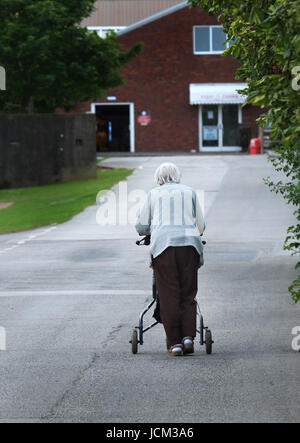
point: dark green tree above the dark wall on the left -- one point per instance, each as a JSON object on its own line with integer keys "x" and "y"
{"x": 50, "y": 60}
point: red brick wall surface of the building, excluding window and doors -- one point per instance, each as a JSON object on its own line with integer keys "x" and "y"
{"x": 158, "y": 81}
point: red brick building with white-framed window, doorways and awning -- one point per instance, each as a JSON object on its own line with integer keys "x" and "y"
{"x": 180, "y": 94}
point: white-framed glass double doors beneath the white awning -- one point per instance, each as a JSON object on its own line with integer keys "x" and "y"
{"x": 218, "y": 126}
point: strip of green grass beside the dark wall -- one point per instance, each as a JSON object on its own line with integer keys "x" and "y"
{"x": 44, "y": 205}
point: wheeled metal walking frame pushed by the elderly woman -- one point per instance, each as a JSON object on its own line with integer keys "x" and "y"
{"x": 137, "y": 337}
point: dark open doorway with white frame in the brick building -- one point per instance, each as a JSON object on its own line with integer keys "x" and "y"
{"x": 113, "y": 128}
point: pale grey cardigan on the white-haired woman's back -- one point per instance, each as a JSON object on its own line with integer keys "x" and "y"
{"x": 172, "y": 215}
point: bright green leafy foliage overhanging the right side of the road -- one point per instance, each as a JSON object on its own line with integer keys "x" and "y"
{"x": 266, "y": 41}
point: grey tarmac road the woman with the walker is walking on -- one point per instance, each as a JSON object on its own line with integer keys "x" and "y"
{"x": 70, "y": 295}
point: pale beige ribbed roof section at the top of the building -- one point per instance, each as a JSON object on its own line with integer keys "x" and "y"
{"x": 126, "y": 12}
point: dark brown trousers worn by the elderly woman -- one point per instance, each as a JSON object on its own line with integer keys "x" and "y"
{"x": 176, "y": 275}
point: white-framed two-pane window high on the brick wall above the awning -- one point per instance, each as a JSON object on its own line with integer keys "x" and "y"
{"x": 209, "y": 40}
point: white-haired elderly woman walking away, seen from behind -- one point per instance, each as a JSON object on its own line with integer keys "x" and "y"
{"x": 172, "y": 216}
